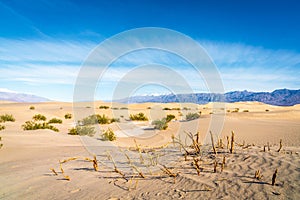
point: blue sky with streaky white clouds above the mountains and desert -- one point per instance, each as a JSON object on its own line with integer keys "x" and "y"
{"x": 254, "y": 44}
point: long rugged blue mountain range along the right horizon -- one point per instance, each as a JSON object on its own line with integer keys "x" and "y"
{"x": 281, "y": 97}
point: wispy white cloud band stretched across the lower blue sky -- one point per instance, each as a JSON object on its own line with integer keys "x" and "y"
{"x": 35, "y": 62}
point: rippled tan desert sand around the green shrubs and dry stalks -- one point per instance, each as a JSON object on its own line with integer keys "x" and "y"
{"x": 27, "y": 156}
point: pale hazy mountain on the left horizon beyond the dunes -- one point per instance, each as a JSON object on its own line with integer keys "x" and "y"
{"x": 19, "y": 97}
